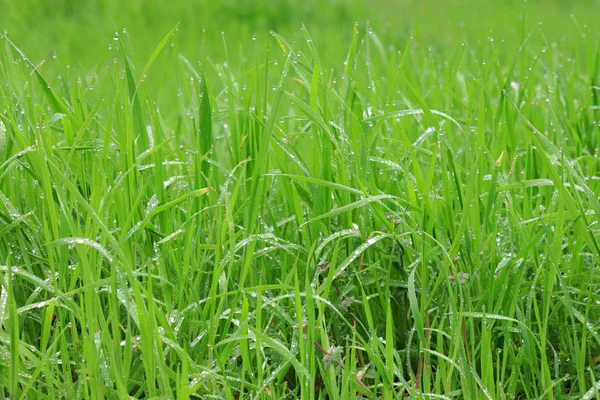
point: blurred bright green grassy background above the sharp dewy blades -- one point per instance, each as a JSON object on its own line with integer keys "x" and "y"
{"x": 81, "y": 33}
